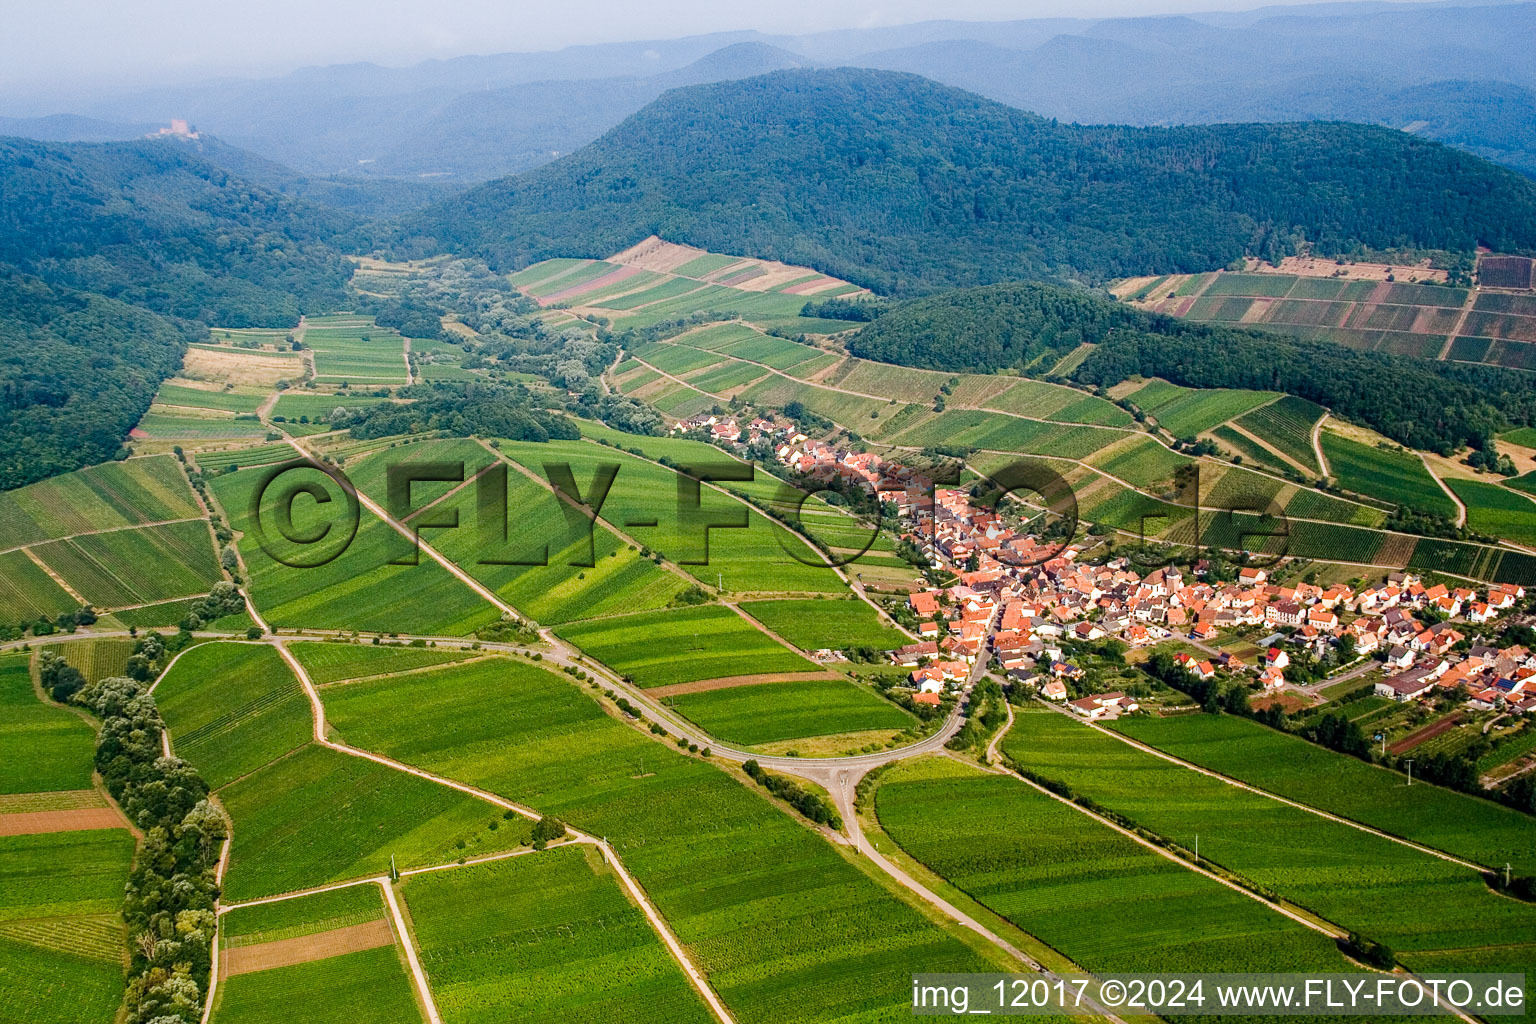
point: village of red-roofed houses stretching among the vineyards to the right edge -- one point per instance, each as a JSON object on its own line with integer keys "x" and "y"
{"x": 1021, "y": 606}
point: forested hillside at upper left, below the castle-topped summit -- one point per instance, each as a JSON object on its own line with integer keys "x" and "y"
{"x": 154, "y": 225}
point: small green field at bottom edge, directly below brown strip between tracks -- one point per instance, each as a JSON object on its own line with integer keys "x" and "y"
{"x": 363, "y": 988}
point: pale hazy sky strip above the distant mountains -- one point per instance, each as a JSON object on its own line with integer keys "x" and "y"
{"x": 73, "y": 45}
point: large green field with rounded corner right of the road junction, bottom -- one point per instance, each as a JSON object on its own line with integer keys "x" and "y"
{"x": 1088, "y": 891}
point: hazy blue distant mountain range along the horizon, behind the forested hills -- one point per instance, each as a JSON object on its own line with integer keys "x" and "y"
{"x": 1465, "y": 74}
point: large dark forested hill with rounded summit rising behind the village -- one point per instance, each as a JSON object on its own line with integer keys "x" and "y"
{"x": 904, "y": 185}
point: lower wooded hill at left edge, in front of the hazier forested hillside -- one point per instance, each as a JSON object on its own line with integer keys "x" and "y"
{"x": 76, "y": 374}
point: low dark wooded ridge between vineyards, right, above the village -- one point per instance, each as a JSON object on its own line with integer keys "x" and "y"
{"x": 1435, "y": 406}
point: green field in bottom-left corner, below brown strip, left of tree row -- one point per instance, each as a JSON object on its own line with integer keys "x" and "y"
{"x": 62, "y": 942}
